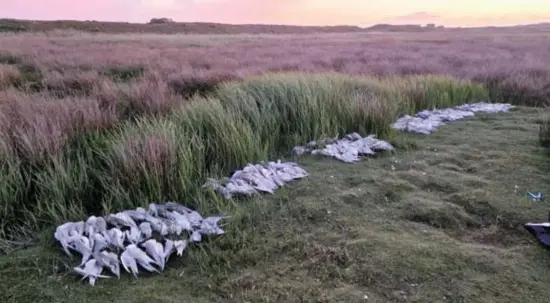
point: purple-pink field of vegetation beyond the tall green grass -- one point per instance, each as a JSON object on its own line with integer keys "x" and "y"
{"x": 512, "y": 64}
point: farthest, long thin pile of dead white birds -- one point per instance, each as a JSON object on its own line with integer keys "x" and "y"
{"x": 426, "y": 122}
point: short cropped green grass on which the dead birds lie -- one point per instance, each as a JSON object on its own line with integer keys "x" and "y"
{"x": 439, "y": 221}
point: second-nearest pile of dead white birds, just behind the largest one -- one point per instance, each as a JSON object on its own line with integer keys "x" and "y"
{"x": 253, "y": 179}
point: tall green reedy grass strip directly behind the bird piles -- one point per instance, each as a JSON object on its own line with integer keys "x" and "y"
{"x": 168, "y": 158}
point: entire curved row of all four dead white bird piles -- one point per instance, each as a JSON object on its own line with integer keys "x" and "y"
{"x": 146, "y": 238}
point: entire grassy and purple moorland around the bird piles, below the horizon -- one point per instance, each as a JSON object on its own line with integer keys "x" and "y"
{"x": 95, "y": 123}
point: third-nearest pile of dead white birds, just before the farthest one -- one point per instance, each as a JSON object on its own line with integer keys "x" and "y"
{"x": 349, "y": 149}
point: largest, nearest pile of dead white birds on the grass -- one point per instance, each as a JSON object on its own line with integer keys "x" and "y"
{"x": 134, "y": 237}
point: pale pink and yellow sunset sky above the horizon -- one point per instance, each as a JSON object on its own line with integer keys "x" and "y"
{"x": 296, "y": 12}
